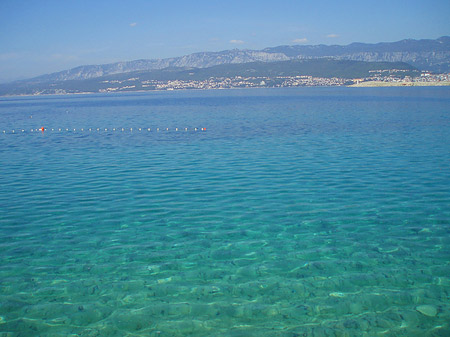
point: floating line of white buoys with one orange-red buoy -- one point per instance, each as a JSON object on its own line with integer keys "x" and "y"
{"x": 58, "y": 130}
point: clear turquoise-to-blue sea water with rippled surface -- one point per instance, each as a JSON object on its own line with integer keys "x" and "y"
{"x": 305, "y": 212}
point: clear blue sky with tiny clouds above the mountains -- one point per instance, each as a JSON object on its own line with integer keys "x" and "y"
{"x": 43, "y": 36}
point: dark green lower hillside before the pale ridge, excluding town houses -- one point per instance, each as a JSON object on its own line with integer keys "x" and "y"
{"x": 273, "y": 74}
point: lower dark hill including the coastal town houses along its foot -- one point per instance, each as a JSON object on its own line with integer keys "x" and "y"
{"x": 299, "y": 72}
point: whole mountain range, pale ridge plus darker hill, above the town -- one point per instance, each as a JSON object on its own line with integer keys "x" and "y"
{"x": 429, "y": 55}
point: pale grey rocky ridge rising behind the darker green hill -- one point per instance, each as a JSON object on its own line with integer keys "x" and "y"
{"x": 431, "y": 55}
